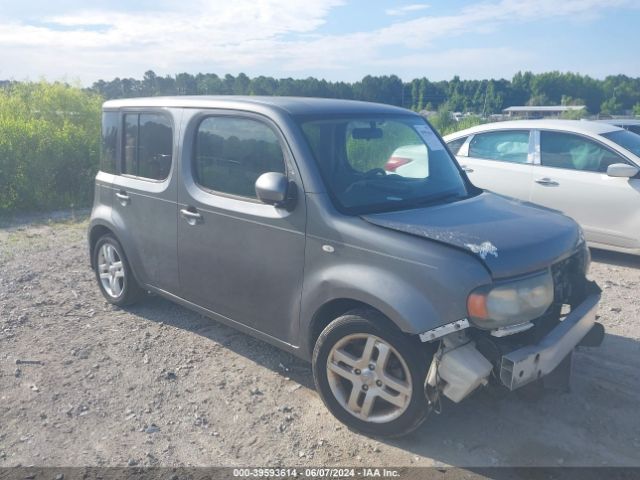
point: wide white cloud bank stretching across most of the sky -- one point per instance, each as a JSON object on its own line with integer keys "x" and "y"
{"x": 271, "y": 37}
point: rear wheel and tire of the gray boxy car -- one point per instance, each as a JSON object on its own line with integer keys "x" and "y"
{"x": 113, "y": 273}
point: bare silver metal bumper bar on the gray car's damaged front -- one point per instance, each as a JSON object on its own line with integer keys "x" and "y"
{"x": 529, "y": 363}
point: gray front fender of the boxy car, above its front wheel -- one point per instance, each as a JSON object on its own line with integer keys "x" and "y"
{"x": 417, "y": 284}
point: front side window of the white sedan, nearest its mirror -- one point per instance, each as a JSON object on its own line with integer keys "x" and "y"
{"x": 573, "y": 152}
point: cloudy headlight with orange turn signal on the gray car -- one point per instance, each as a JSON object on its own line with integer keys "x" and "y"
{"x": 511, "y": 303}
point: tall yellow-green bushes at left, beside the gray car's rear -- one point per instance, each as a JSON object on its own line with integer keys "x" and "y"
{"x": 49, "y": 146}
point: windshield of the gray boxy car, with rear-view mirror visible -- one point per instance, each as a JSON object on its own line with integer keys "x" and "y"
{"x": 373, "y": 164}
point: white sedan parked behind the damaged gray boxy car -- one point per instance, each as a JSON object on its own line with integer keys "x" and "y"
{"x": 588, "y": 170}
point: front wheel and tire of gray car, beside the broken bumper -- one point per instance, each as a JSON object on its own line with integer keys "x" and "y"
{"x": 342, "y": 359}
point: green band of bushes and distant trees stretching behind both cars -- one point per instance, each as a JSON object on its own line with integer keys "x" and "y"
{"x": 50, "y": 132}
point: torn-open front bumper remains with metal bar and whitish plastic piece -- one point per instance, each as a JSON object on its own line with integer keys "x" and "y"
{"x": 460, "y": 364}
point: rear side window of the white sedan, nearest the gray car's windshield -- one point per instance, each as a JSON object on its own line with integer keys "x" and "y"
{"x": 506, "y": 146}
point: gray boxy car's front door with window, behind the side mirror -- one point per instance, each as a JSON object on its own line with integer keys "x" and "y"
{"x": 238, "y": 257}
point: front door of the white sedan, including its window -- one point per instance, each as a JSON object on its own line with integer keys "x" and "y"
{"x": 572, "y": 178}
